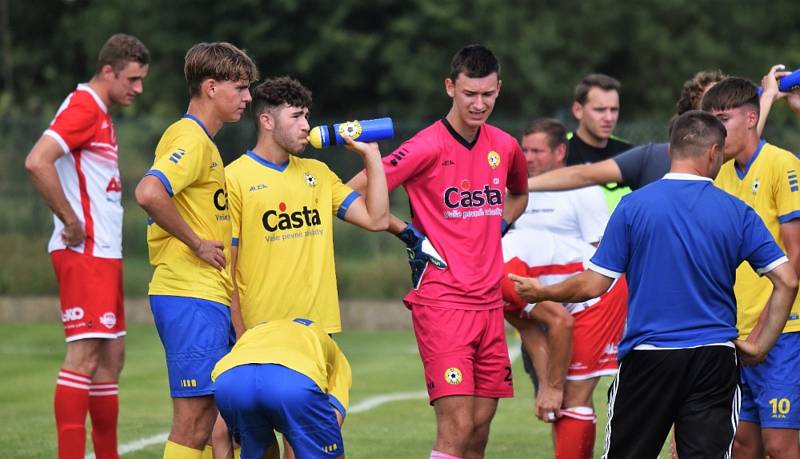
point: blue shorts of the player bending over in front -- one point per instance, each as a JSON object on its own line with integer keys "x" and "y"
{"x": 256, "y": 399}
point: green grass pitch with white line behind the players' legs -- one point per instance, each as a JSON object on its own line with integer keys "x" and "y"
{"x": 384, "y": 362}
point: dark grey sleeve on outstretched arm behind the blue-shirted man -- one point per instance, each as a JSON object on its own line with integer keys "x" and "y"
{"x": 643, "y": 164}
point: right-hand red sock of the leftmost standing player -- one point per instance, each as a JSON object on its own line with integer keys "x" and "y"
{"x": 104, "y": 411}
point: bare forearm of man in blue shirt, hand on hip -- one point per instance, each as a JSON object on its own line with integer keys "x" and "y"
{"x": 784, "y": 290}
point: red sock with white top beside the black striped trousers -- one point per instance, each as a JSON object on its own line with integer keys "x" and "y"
{"x": 574, "y": 433}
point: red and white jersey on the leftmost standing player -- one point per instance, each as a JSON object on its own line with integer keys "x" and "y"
{"x": 89, "y": 172}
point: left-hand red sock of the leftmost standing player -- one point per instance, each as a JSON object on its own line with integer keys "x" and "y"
{"x": 71, "y": 405}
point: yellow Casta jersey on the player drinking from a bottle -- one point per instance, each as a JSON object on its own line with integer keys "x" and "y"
{"x": 282, "y": 224}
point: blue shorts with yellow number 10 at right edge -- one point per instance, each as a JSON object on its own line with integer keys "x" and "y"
{"x": 771, "y": 390}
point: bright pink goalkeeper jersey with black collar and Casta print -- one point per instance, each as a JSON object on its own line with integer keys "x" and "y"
{"x": 456, "y": 191}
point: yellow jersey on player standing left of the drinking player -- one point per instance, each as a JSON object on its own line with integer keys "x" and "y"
{"x": 189, "y": 165}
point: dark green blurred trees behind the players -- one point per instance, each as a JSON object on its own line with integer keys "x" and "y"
{"x": 362, "y": 59}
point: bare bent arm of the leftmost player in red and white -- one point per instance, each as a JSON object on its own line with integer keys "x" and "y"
{"x": 40, "y": 164}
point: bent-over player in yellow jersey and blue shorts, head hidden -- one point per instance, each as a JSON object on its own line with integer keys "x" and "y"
{"x": 289, "y": 376}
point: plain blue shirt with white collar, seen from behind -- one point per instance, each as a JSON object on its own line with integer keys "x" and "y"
{"x": 680, "y": 240}
